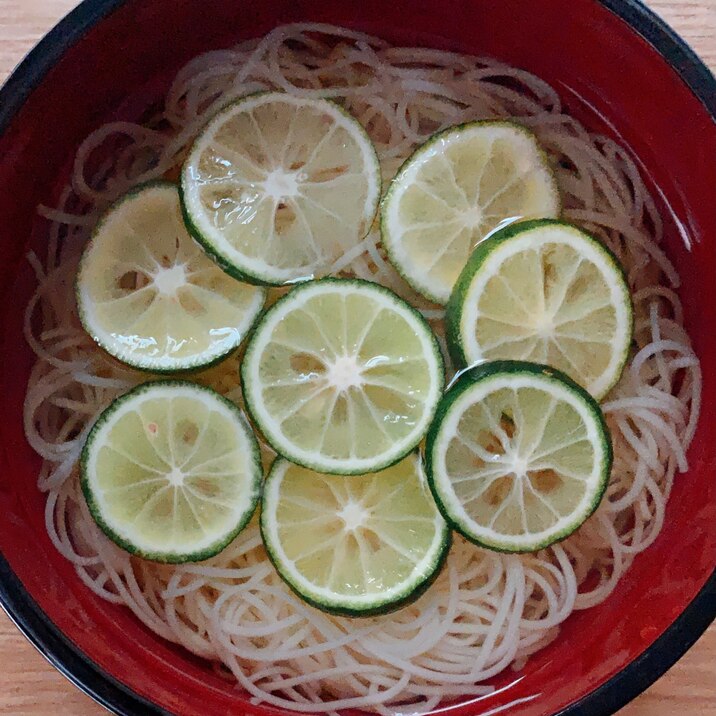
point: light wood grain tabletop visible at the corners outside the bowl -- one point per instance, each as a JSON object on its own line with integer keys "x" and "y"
{"x": 31, "y": 687}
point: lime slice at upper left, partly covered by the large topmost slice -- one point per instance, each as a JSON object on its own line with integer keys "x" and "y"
{"x": 150, "y": 297}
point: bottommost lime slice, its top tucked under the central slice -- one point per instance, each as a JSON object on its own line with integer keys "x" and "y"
{"x": 355, "y": 546}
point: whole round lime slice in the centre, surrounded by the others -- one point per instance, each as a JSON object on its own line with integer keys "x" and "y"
{"x": 342, "y": 376}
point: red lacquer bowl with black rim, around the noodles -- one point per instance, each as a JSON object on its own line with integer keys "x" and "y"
{"x": 618, "y": 68}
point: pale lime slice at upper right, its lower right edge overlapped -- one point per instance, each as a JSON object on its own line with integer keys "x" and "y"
{"x": 453, "y": 191}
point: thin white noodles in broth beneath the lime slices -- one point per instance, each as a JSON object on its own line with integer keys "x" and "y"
{"x": 487, "y": 611}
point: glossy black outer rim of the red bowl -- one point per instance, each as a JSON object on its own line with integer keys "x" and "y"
{"x": 118, "y": 698}
